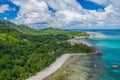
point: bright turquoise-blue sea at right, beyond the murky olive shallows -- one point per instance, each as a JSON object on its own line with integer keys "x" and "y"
{"x": 111, "y": 54}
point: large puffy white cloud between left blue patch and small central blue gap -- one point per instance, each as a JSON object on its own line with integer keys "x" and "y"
{"x": 32, "y": 11}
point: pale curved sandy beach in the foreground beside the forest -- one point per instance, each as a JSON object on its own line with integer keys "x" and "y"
{"x": 53, "y": 67}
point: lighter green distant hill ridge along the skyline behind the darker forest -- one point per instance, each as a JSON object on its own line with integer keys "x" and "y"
{"x": 48, "y": 31}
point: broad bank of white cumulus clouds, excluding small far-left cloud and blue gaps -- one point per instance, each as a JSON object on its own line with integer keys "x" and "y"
{"x": 68, "y": 13}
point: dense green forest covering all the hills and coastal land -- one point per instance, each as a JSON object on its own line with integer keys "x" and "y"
{"x": 25, "y": 51}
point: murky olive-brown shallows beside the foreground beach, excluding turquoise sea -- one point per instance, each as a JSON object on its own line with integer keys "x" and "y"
{"x": 79, "y": 68}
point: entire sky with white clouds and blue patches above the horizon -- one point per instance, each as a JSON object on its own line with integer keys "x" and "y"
{"x": 62, "y": 13}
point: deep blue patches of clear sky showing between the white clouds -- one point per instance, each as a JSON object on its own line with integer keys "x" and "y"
{"x": 11, "y": 14}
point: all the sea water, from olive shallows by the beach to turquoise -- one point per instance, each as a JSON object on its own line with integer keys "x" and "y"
{"x": 94, "y": 67}
